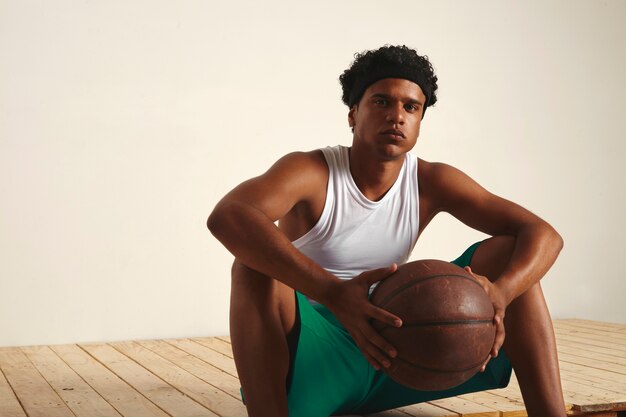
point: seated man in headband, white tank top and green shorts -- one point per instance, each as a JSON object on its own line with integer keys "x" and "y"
{"x": 300, "y": 315}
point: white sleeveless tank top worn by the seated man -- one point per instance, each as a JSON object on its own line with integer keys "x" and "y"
{"x": 355, "y": 234}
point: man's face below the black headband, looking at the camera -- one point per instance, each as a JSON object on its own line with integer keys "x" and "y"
{"x": 387, "y": 120}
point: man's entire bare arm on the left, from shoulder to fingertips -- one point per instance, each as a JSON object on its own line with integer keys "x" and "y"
{"x": 244, "y": 222}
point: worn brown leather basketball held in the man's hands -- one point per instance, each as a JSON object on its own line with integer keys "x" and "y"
{"x": 447, "y": 329}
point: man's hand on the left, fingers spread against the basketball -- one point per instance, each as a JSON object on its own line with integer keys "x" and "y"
{"x": 350, "y": 304}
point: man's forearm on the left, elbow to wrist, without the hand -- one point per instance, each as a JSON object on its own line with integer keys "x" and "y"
{"x": 256, "y": 242}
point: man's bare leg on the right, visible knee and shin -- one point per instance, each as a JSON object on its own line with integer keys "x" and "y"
{"x": 530, "y": 341}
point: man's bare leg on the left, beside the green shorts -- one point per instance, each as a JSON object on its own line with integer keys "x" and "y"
{"x": 262, "y": 312}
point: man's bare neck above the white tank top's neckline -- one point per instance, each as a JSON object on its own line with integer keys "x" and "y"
{"x": 374, "y": 177}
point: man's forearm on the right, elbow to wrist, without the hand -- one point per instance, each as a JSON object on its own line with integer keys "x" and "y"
{"x": 536, "y": 248}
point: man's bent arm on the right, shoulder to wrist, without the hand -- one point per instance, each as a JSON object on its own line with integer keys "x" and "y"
{"x": 537, "y": 244}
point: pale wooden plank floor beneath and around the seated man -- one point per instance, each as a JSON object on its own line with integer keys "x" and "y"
{"x": 196, "y": 377}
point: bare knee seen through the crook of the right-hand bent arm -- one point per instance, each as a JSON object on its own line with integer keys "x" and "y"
{"x": 492, "y": 256}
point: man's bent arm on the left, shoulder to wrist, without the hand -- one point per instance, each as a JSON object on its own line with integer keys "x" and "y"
{"x": 244, "y": 222}
